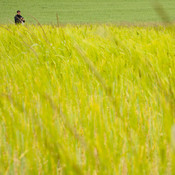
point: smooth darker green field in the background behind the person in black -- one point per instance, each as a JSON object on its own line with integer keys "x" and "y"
{"x": 84, "y": 11}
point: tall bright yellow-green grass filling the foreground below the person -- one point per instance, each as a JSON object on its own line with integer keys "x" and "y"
{"x": 92, "y": 99}
